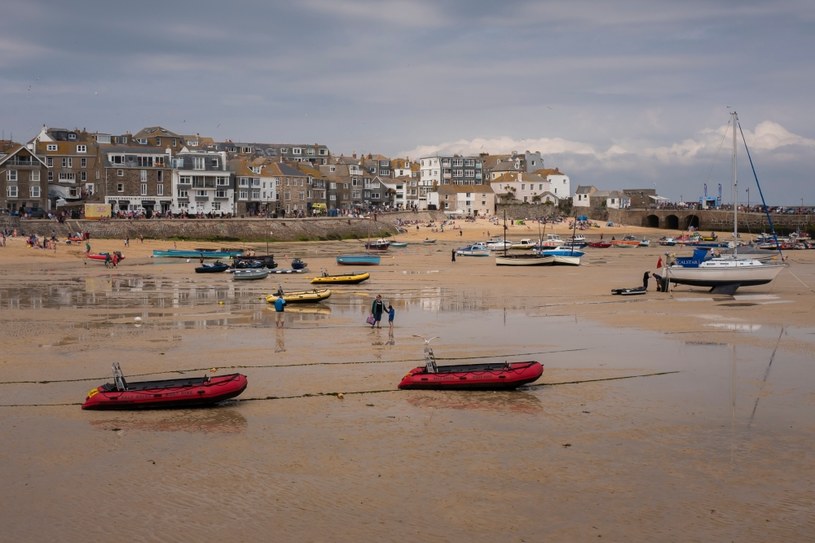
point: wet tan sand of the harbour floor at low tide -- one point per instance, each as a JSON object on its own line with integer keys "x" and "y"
{"x": 671, "y": 416}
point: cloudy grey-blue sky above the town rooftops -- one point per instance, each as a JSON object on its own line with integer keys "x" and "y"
{"x": 625, "y": 94}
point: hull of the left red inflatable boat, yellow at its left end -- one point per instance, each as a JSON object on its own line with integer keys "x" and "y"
{"x": 169, "y": 393}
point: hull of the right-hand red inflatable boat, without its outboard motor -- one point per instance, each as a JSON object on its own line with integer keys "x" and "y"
{"x": 492, "y": 376}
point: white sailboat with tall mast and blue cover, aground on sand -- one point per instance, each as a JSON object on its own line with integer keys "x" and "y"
{"x": 724, "y": 274}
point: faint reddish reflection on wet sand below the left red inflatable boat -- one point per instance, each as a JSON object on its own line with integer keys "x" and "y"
{"x": 225, "y": 418}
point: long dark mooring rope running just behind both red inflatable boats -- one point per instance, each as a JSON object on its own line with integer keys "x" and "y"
{"x": 276, "y": 366}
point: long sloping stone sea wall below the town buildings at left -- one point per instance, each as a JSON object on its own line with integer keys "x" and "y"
{"x": 251, "y": 230}
